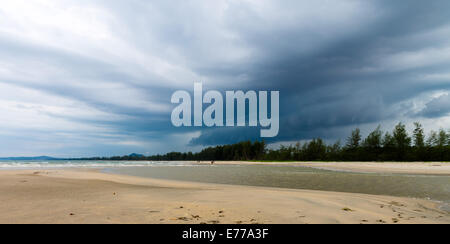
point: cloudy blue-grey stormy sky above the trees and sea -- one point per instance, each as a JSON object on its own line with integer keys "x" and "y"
{"x": 95, "y": 78}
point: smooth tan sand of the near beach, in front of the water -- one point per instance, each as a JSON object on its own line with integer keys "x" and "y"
{"x": 88, "y": 196}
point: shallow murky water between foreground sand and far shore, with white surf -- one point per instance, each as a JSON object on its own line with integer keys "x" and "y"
{"x": 432, "y": 187}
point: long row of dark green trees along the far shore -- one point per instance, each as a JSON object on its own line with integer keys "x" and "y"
{"x": 397, "y": 145}
